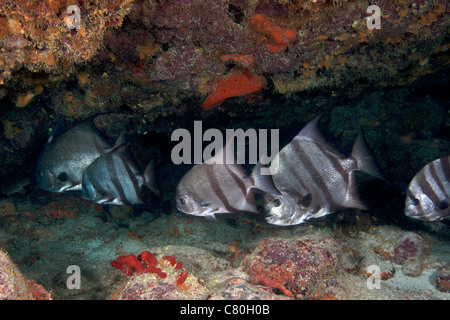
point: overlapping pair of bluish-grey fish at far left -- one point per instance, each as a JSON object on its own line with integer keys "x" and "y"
{"x": 81, "y": 160}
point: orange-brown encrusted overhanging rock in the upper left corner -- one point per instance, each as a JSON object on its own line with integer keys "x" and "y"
{"x": 52, "y": 37}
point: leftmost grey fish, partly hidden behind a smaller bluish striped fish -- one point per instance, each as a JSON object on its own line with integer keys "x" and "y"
{"x": 66, "y": 156}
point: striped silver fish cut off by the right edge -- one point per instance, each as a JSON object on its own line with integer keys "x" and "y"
{"x": 428, "y": 195}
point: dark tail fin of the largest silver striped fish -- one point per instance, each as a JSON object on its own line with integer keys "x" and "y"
{"x": 365, "y": 160}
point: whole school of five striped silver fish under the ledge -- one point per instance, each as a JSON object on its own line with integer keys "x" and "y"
{"x": 313, "y": 179}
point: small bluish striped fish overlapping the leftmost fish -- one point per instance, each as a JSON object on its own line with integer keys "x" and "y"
{"x": 114, "y": 178}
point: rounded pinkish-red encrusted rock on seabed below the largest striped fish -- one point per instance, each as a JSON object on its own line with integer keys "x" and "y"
{"x": 299, "y": 266}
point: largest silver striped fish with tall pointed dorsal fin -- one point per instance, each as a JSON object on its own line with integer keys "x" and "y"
{"x": 316, "y": 179}
